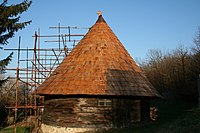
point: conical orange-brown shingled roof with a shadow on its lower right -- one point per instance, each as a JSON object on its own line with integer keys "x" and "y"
{"x": 98, "y": 65}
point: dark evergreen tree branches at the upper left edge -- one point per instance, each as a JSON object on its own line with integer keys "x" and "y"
{"x": 9, "y": 25}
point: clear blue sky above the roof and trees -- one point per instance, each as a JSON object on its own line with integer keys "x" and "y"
{"x": 140, "y": 25}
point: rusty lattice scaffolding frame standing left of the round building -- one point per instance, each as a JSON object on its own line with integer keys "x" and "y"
{"x": 36, "y": 64}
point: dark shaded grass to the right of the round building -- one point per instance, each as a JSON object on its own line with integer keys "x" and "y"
{"x": 173, "y": 117}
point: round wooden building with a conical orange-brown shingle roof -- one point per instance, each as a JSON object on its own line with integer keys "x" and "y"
{"x": 97, "y": 86}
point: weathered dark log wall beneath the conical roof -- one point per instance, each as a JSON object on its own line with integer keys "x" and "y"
{"x": 91, "y": 112}
